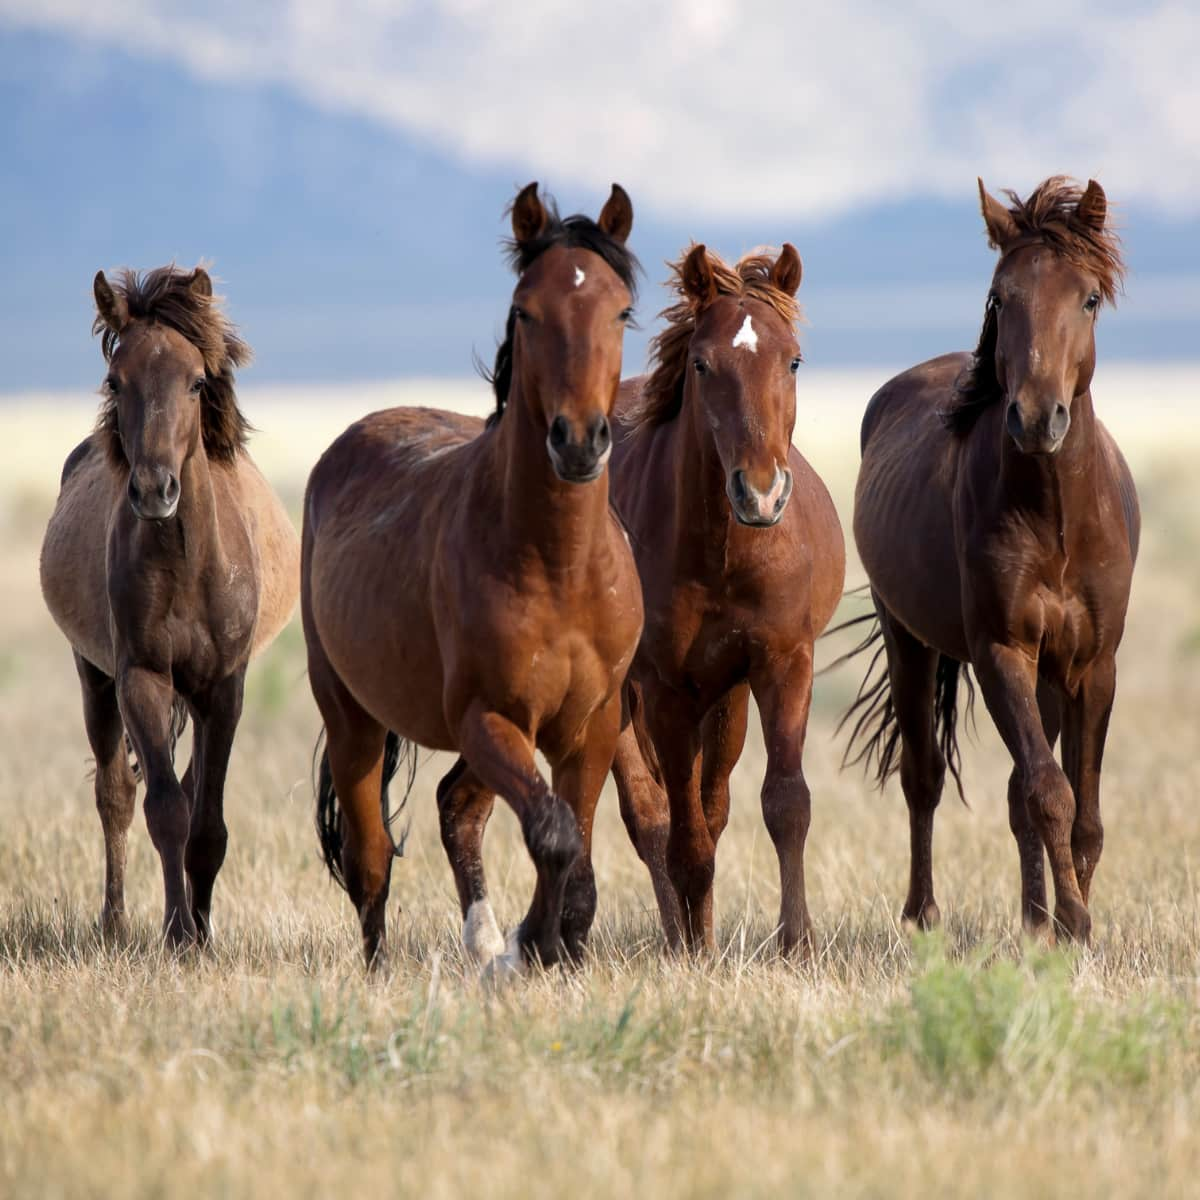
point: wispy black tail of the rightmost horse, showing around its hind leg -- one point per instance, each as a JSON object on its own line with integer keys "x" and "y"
{"x": 875, "y": 739}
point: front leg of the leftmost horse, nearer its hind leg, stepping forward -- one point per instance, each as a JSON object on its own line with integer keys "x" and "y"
{"x": 146, "y": 699}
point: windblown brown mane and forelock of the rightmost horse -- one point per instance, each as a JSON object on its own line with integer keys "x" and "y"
{"x": 1048, "y": 218}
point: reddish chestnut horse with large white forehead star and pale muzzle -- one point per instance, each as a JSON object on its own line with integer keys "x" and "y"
{"x": 742, "y": 562}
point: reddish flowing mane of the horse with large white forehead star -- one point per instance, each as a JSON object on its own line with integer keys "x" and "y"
{"x": 751, "y": 279}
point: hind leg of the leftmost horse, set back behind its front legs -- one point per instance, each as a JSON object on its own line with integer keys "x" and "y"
{"x": 116, "y": 790}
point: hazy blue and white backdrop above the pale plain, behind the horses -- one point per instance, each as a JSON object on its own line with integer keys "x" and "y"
{"x": 345, "y": 165}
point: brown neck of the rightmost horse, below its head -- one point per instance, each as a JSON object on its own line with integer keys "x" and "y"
{"x": 1061, "y": 489}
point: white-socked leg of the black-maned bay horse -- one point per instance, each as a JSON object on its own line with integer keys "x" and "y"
{"x": 465, "y": 807}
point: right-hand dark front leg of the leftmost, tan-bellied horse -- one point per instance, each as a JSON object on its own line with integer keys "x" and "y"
{"x": 208, "y": 838}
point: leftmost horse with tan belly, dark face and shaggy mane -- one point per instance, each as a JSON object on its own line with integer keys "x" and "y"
{"x": 169, "y": 562}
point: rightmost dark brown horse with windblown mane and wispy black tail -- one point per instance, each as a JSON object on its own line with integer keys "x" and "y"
{"x": 999, "y": 526}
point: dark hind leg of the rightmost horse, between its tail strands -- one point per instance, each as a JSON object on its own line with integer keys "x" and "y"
{"x": 913, "y": 673}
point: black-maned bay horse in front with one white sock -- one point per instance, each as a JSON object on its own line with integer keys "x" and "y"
{"x": 466, "y": 587}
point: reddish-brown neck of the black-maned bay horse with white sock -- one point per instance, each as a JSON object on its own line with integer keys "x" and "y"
{"x": 541, "y": 514}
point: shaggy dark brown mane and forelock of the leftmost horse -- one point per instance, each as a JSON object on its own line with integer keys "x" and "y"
{"x": 167, "y": 297}
